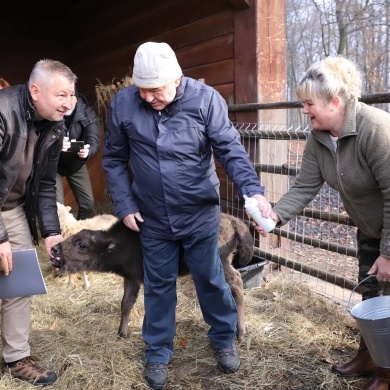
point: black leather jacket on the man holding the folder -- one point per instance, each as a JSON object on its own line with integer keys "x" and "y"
{"x": 16, "y": 120}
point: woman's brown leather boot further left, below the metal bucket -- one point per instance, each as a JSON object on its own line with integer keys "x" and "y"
{"x": 360, "y": 365}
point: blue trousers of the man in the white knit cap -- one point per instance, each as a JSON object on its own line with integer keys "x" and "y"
{"x": 161, "y": 259}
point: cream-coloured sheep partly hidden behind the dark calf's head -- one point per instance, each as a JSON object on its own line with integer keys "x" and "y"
{"x": 70, "y": 225}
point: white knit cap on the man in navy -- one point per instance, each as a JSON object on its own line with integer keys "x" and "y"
{"x": 155, "y": 65}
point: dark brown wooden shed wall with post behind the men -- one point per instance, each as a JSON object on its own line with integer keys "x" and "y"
{"x": 216, "y": 41}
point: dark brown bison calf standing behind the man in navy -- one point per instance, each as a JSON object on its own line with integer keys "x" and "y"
{"x": 118, "y": 250}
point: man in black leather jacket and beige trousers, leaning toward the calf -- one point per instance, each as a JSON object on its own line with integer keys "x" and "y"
{"x": 31, "y": 133}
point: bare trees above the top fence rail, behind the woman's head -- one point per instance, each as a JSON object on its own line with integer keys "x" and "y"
{"x": 357, "y": 29}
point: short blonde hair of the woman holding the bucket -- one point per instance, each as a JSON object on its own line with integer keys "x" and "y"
{"x": 333, "y": 76}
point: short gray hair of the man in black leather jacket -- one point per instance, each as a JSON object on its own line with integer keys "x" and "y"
{"x": 44, "y": 70}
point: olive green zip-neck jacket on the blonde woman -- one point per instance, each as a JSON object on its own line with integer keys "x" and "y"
{"x": 359, "y": 171}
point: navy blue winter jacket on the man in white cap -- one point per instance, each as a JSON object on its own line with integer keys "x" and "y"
{"x": 173, "y": 183}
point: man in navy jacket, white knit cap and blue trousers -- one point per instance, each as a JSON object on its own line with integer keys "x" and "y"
{"x": 165, "y": 129}
